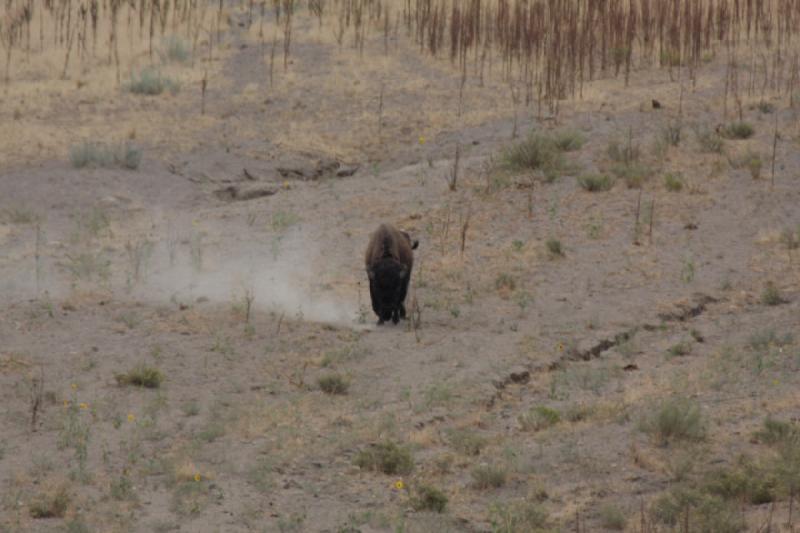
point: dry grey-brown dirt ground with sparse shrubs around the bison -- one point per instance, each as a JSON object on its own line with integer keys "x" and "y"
{"x": 618, "y": 385}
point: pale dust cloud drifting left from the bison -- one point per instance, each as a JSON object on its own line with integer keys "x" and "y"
{"x": 285, "y": 273}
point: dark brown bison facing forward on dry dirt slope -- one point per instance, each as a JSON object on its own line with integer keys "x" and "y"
{"x": 389, "y": 261}
